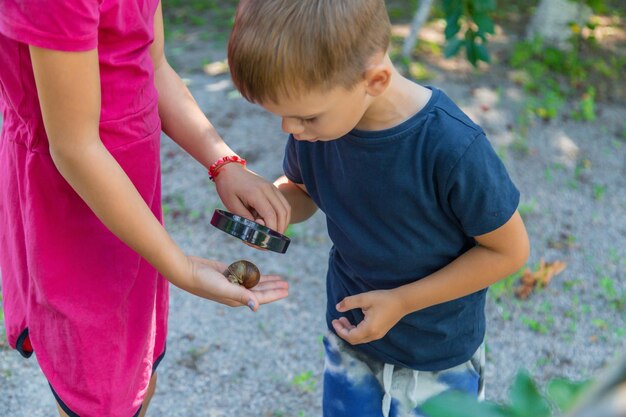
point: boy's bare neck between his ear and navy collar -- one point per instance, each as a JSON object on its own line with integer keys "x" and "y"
{"x": 402, "y": 99}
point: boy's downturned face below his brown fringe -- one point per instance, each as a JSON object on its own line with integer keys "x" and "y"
{"x": 321, "y": 116}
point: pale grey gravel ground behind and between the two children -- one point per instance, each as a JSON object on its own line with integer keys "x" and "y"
{"x": 225, "y": 362}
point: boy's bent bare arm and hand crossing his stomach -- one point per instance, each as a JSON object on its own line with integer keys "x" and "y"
{"x": 498, "y": 254}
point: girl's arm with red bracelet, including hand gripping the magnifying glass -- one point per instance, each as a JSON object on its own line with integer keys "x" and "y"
{"x": 184, "y": 122}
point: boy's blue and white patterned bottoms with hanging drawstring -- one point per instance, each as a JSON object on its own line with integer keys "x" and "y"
{"x": 356, "y": 385}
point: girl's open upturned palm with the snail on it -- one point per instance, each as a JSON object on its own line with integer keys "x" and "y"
{"x": 209, "y": 282}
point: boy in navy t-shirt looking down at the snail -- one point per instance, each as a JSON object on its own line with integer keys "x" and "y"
{"x": 421, "y": 212}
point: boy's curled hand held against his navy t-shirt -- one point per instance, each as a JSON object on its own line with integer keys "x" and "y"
{"x": 381, "y": 312}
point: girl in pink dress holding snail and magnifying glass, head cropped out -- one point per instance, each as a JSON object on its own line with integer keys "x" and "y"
{"x": 85, "y": 91}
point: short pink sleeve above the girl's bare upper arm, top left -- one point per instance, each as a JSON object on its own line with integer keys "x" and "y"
{"x": 65, "y": 25}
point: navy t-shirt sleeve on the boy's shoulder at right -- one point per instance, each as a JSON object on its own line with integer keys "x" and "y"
{"x": 480, "y": 191}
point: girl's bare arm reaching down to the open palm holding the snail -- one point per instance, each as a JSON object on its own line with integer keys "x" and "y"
{"x": 68, "y": 85}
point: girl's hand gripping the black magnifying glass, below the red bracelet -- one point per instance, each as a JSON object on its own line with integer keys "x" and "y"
{"x": 248, "y": 195}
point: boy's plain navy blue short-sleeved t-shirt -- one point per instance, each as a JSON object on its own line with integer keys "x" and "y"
{"x": 400, "y": 204}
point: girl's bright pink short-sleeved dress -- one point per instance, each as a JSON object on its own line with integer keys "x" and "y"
{"x": 94, "y": 312}
